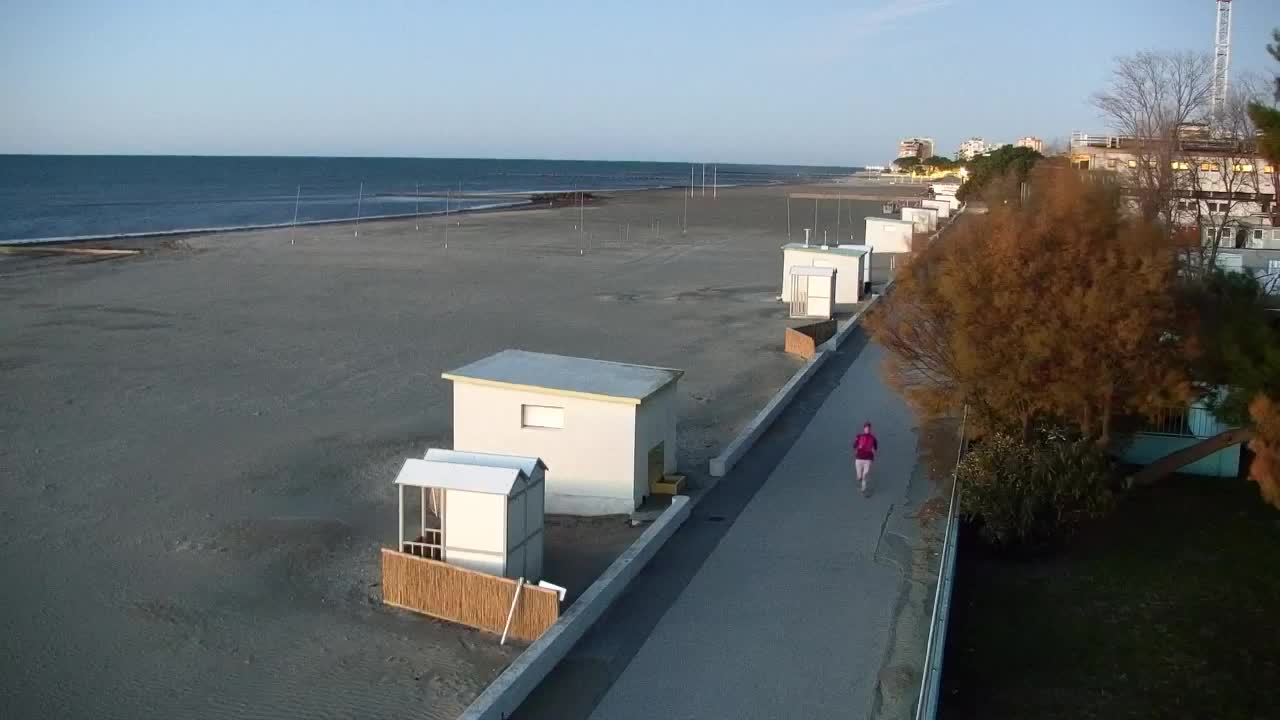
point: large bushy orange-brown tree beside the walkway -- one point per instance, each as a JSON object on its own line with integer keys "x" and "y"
{"x": 1053, "y": 311}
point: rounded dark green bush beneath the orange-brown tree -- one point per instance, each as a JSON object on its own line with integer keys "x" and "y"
{"x": 1034, "y": 494}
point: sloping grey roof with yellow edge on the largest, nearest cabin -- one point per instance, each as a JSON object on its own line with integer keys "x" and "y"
{"x": 560, "y": 375}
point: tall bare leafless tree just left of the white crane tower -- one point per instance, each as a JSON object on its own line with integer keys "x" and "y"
{"x": 1150, "y": 102}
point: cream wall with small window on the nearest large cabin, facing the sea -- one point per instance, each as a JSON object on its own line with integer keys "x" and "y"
{"x": 591, "y": 461}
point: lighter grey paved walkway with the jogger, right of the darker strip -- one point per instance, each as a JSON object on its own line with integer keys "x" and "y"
{"x": 790, "y": 614}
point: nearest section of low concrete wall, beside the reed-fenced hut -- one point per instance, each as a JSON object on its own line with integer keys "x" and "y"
{"x": 505, "y": 695}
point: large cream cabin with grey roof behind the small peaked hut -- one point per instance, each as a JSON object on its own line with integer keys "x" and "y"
{"x": 606, "y": 430}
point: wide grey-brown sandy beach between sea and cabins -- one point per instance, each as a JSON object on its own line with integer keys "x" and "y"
{"x": 200, "y": 441}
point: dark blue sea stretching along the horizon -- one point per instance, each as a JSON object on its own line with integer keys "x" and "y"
{"x": 67, "y": 197}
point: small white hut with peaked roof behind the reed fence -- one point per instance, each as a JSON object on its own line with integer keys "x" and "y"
{"x": 478, "y": 512}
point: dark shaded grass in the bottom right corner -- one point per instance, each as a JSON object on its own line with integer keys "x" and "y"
{"x": 1171, "y": 608}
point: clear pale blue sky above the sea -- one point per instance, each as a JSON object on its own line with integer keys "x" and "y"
{"x": 744, "y": 81}
